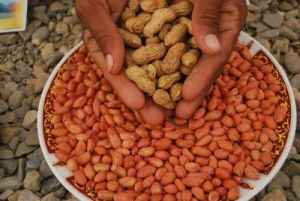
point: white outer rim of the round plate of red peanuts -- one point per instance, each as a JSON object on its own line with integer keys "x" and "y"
{"x": 248, "y": 196}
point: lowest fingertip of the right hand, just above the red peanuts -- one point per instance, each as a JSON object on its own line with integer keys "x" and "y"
{"x": 186, "y": 108}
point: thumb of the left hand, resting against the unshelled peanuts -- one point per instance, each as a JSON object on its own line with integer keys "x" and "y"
{"x": 96, "y": 17}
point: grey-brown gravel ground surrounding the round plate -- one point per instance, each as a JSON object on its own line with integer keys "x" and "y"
{"x": 27, "y": 58}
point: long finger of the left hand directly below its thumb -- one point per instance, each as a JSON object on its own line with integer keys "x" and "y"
{"x": 126, "y": 90}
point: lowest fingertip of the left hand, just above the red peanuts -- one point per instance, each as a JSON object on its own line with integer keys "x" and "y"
{"x": 152, "y": 113}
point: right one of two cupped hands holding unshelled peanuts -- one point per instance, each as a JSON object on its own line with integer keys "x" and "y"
{"x": 216, "y": 26}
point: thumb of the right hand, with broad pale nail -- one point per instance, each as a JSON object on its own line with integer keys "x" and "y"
{"x": 205, "y": 24}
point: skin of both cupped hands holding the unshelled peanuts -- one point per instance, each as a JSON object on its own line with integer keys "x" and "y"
{"x": 222, "y": 18}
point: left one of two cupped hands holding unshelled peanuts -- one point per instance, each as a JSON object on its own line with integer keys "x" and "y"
{"x": 106, "y": 46}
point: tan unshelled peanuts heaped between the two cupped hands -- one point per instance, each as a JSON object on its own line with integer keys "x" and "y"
{"x": 160, "y": 48}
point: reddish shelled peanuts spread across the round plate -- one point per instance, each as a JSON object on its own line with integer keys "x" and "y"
{"x": 114, "y": 153}
